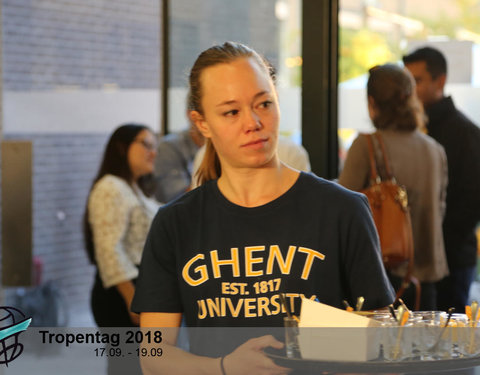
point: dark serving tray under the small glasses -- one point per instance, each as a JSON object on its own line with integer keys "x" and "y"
{"x": 375, "y": 366}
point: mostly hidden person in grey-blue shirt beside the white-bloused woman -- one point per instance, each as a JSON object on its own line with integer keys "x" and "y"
{"x": 173, "y": 163}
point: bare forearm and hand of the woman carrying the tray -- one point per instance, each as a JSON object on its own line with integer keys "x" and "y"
{"x": 248, "y": 358}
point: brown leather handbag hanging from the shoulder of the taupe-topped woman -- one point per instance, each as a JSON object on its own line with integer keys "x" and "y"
{"x": 389, "y": 204}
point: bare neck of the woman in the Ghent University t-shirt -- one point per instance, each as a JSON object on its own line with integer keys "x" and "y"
{"x": 253, "y": 187}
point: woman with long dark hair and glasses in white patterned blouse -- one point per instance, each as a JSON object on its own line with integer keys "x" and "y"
{"x": 117, "y": 220}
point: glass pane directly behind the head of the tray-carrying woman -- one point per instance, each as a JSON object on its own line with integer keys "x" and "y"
{"x": 272, "y": 27}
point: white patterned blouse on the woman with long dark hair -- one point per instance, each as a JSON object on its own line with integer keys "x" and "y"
{"x": 120, "y": 216}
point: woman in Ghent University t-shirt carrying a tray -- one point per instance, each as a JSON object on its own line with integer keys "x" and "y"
{"x": 253, "y": 221}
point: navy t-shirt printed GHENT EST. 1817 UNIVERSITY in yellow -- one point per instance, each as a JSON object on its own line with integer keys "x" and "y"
{"x": 223, "y": 265}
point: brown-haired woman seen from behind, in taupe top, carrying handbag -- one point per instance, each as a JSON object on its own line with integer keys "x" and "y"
{"x": 417, "y": 161}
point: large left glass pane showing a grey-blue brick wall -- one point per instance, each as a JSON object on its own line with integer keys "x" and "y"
{"x": 72, "y": 71}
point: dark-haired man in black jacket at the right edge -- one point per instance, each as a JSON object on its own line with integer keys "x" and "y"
{"x": 460, "y": 138}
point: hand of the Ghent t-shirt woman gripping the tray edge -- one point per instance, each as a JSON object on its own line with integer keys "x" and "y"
{"x": 249, "y": 358}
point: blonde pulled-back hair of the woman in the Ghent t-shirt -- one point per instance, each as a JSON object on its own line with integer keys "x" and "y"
{"x": 210, "y": 168}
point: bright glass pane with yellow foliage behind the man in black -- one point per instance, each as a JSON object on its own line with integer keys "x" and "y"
{"x": 379, "y": 31}
